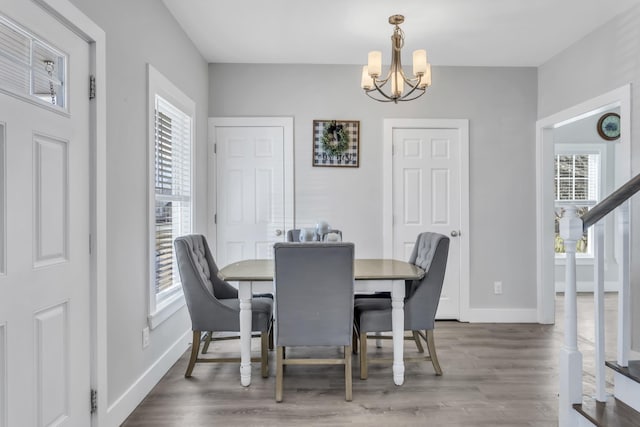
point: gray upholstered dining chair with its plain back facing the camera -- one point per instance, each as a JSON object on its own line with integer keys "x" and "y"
{"x": 314, "y": 304}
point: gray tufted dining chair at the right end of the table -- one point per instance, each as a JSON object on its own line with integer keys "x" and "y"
{"x": 373, "y": 314}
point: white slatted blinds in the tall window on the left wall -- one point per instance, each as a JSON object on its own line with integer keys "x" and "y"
{"x": 173, "y": 198}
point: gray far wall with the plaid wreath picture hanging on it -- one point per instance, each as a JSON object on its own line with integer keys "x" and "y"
{"x": 501, "y": 105}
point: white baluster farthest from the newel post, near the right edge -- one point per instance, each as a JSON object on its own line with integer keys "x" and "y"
{"x": 624, "y": 293}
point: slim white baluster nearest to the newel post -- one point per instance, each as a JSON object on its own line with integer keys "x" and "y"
{"x": 598, "y": 276}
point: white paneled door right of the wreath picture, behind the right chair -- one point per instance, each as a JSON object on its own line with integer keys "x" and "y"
{"x": 427, "y": 197}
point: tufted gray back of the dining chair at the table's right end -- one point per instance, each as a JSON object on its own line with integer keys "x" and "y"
{"x": 421, "y": 302}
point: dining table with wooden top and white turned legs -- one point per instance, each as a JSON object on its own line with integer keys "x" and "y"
{"x": 371, "y": 275}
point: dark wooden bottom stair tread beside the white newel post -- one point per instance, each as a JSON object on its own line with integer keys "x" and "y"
{"x": 612, "y": 413}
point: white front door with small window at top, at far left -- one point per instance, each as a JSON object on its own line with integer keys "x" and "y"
{"x": 44, "y": 282}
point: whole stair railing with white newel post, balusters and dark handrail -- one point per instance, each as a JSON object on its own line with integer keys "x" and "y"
{"x": 571, "y": 230}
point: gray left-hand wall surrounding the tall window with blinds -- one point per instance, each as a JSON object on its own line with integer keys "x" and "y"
{"x": 138, "y": 32}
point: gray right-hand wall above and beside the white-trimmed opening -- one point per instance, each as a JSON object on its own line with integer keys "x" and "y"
{"x": 602, "y": 61}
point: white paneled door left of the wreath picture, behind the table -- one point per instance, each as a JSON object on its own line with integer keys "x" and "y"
{"x": 254, "y": 189}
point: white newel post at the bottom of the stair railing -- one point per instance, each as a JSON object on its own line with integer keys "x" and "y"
{"x": 570, "y": 357}
